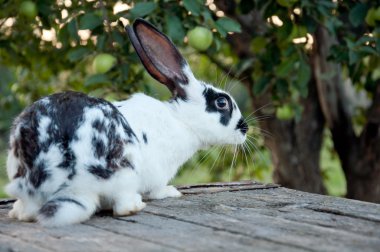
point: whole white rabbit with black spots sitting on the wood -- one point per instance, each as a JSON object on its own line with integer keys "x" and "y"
{"x": 71, "y": 155}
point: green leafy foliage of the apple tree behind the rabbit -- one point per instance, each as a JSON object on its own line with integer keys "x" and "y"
{"x": 53, "y": 49}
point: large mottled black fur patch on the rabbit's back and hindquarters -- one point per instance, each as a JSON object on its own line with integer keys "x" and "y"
{"x": 66, "y": 113}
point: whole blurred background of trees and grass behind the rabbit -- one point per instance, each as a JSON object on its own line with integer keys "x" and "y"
{"x": 276, "y": 57}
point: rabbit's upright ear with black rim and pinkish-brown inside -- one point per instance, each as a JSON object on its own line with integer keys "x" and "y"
{"x": 159, "y": 56}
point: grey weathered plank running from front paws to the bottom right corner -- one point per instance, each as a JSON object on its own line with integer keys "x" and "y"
{"x": 240, "y": 220}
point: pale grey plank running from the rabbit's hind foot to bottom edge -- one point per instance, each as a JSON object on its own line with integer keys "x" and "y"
{"x": 183, "y": 236}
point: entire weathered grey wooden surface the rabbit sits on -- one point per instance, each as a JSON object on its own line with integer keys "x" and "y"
{"x": 216, "y": 217}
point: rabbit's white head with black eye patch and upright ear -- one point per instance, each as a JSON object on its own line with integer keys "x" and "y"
{"x": 212, "y": 114}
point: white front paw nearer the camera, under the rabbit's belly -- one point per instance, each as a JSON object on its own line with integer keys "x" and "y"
{"x": 128, "y": 205}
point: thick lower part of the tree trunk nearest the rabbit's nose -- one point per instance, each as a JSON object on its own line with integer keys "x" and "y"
{"x": 295, "y": 146}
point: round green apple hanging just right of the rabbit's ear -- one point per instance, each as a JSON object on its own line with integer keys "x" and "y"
{"x": 200, "y": 38}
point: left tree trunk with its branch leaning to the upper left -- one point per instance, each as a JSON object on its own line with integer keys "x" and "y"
{"x": 295, "y": 146}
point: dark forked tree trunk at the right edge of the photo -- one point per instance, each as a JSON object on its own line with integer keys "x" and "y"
{"x": 359, "y": 155}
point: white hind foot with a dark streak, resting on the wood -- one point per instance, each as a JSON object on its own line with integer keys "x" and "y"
{"x": 66, "y": 210}
